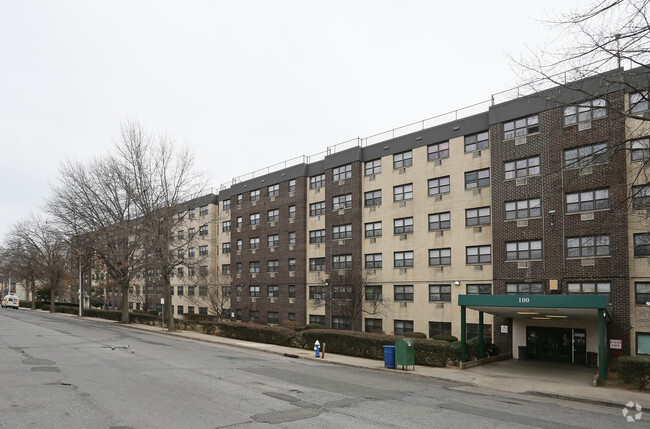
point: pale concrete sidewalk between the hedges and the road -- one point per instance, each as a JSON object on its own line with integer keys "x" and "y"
{"x": 507, "y": 376}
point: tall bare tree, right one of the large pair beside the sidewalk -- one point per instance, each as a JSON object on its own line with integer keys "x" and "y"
{"x": 164, "y": 184}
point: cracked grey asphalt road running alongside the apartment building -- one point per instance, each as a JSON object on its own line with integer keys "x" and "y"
{"x": 62, "y": 372}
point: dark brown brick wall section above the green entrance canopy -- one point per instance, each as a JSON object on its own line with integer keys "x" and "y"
{"x": 552, "y": 139}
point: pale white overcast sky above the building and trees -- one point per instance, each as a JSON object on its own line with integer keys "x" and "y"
{"x": 245, "y": 83}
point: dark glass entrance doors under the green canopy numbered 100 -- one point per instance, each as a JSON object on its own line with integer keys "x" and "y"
{"x": 557, "y": 344}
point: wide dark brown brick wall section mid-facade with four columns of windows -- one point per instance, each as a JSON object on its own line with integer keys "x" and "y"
{"x": 282, "y": 253}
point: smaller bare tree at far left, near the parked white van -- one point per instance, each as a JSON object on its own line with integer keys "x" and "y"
{"x": 43, "y": 244}
